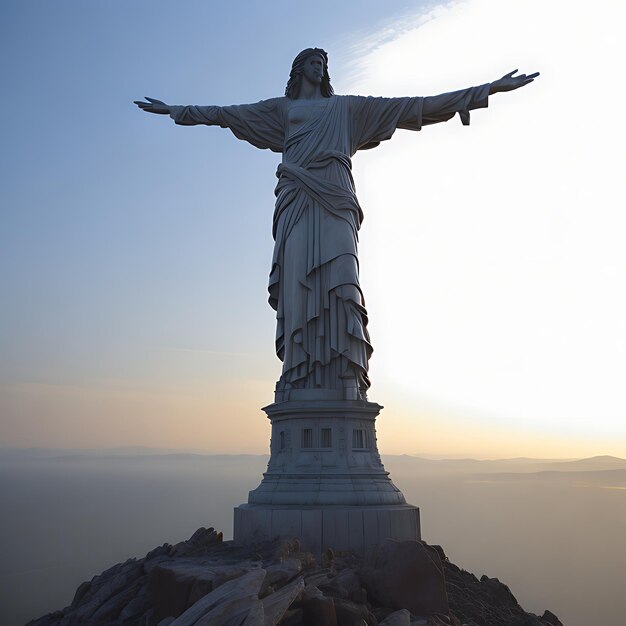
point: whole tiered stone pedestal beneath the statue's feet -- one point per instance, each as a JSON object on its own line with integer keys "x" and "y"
{"x": 325, "y": 482}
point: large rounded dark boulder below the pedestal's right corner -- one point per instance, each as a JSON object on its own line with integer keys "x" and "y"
{"x": 406, "y": 575}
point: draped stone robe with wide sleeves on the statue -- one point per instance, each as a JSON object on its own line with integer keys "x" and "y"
{"x": 321, "y": 320}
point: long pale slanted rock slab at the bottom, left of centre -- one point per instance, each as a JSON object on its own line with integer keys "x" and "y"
{"x": 236, "y": 593}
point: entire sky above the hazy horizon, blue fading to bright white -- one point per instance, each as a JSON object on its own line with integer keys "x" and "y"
{"x": 135, "y": 253}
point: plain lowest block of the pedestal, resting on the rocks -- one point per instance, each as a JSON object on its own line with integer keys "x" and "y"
{"x": 354, "y": 528}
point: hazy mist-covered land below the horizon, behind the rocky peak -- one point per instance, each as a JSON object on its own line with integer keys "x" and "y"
{"x": 552, "y": 530}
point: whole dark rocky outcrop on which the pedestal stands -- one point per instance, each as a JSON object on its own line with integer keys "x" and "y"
{"x": 205, "y": 581}
